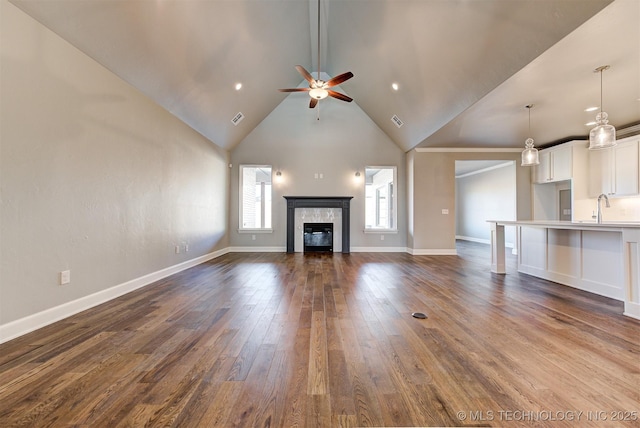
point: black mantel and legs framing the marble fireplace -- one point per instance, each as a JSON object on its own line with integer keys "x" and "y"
{"x": 341, "y": 202}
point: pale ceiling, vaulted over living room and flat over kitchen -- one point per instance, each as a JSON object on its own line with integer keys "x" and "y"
{"x": 465, "y": 69}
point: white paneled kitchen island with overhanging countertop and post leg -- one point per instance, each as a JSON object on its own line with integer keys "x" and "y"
{"x": 600, "y": 258}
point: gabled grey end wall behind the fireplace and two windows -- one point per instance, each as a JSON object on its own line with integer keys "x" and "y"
{"x": 343, "y": 141}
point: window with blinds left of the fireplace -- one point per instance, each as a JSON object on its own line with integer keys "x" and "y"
{"x": 255, "y": 197}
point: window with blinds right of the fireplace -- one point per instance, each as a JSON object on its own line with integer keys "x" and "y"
{"x": 380, "y": 198}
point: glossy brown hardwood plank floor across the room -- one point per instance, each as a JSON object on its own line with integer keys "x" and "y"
{"x": 318, "y": 340}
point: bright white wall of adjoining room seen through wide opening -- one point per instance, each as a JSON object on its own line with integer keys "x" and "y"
{"x": 486, "y": 195}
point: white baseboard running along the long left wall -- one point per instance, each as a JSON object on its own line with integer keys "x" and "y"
{"x": 41, "y": 319}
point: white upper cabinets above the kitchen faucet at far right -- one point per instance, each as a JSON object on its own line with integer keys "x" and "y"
{"x": 615, "y": 171}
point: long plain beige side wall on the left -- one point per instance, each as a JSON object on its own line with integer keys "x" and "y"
{"x": 95, "y": 178}
